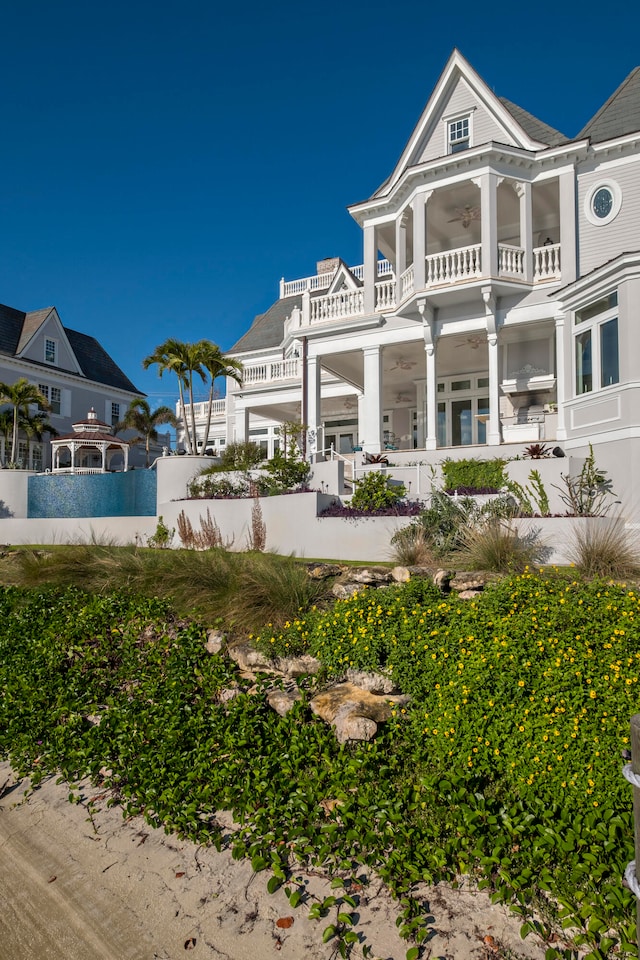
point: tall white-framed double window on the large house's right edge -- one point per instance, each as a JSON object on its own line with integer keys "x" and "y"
{"x": 597, "y": 362}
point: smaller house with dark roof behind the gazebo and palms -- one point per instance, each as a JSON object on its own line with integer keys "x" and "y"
{"x": 70, "y": 369}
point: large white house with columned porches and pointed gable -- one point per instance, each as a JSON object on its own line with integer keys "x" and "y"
{"x": 497, "y": 303}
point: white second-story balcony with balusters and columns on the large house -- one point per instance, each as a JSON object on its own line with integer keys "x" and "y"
{"x": 449, "y": 240}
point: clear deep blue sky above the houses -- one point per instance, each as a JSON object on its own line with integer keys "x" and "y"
{"x": 164, "y": 164}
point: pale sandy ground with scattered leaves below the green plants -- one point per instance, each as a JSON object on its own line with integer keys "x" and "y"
{"x": 80, "y": 883}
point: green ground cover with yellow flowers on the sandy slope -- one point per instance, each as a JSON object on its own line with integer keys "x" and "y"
{"x": 505, "y": 764}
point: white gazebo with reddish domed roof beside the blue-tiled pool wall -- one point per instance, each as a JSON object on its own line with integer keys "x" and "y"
{"x": 91, "y": 447}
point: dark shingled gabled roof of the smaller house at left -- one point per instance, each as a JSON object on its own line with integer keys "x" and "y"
{"x": 17, "y": 328}
